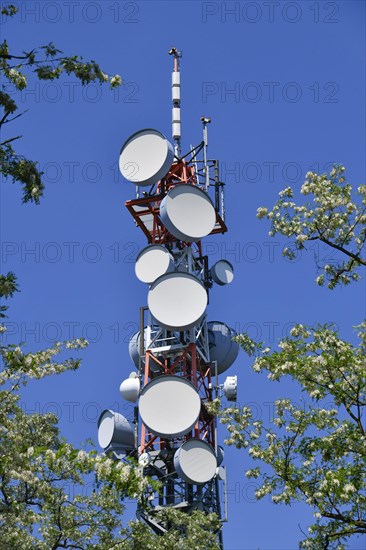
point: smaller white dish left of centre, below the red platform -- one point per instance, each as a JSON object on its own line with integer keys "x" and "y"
{"x": 152, "y": 262}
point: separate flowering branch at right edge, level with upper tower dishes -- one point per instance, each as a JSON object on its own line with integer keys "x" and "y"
{"x": 334, "y": 217}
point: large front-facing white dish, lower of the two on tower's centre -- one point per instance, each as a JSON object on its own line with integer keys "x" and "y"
{"x": 169, "y": 406}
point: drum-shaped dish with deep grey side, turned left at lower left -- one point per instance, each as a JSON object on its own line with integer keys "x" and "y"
{"x": 114, "y": 429}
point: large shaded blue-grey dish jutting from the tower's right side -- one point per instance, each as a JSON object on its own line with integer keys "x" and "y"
{"x": 222, "y": 348}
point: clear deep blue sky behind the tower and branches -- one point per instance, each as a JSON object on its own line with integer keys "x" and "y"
{"x": 284, "y": 83}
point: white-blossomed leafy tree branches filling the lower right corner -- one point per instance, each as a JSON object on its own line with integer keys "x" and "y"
{"x": 314, "y": 450}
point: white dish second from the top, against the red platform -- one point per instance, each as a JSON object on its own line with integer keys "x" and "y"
{"x": 188, "y": 213}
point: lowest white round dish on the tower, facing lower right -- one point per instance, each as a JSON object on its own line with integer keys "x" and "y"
{"x": 195, "y": 461}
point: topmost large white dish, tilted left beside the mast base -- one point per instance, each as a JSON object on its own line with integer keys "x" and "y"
{"x": 146, "y": 157}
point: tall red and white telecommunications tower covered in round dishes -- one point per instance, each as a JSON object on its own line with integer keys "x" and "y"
{"x": 179, "y": 355}
